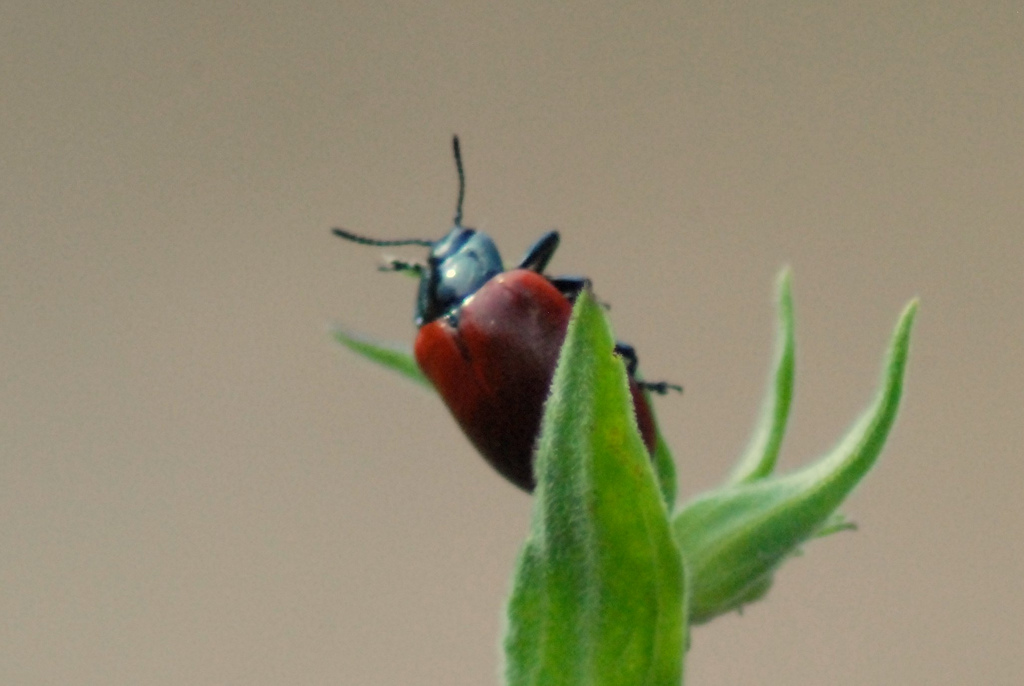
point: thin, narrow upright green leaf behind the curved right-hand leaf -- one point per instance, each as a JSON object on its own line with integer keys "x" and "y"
{"x": 761, "y": 455}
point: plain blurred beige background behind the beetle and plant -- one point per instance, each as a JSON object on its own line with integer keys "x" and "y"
{"x": 197, "y": 487}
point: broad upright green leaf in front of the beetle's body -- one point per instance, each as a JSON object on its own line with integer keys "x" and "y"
{"x": 599, "y": 592}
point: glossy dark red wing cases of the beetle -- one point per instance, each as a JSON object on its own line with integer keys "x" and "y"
{"x": 493, "y": 366}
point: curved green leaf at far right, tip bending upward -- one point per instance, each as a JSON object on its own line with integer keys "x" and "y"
{"x": 735, "y": 539}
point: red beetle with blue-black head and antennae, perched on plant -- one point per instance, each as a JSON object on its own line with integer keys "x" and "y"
{"x": 489, "y": 338}
